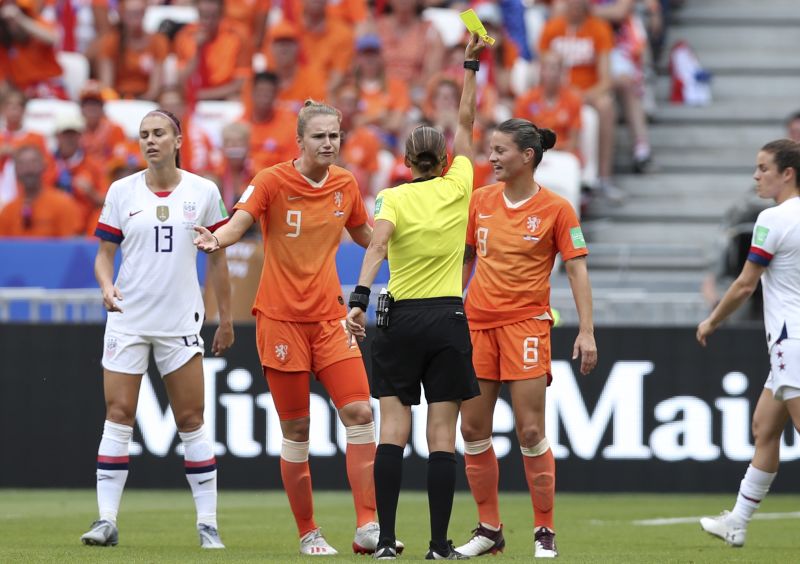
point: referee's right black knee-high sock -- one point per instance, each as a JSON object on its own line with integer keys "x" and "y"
{"x": 441, "y": 488}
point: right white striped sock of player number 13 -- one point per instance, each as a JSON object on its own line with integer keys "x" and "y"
{"x": 201, "y": 473}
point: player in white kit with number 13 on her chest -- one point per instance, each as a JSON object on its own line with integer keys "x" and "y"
{"x": 155, "y": 303}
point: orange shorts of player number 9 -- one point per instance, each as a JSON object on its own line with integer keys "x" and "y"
{"x": 303, "y": 347}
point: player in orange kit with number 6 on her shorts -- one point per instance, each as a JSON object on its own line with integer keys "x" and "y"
{"x": 516, "y": 228}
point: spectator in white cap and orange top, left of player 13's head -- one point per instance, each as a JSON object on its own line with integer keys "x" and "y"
{"x": 75, "y": 172}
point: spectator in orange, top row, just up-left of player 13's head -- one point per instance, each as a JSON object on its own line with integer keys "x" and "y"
{"x": 130, "y": 60}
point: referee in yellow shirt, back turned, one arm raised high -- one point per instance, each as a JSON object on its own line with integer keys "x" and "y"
{"x": 421, "y": 226}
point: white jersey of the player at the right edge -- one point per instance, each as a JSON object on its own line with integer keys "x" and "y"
{"x": 776, "y": 245}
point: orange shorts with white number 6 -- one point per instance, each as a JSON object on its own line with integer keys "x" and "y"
{"x": 518, "y": 351}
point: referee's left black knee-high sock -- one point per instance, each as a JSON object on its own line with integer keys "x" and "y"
{"x": 388, "y": 477}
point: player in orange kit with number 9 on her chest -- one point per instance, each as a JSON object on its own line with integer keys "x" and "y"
{"x": 302, "y": 206}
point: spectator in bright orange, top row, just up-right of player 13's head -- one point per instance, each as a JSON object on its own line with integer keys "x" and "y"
{"x": 212, "y": 60}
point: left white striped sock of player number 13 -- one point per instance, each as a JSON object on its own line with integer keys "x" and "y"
{"x": 112, "y": 468}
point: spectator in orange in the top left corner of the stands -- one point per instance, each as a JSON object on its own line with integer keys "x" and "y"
{"x": 27, "y": 52}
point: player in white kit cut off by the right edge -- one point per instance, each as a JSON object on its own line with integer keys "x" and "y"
{"x": 774, "y": 258}
